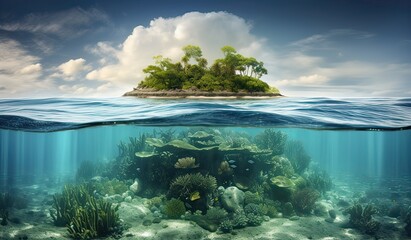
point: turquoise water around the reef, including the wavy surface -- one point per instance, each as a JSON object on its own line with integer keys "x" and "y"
{"x": 362, "y": 144}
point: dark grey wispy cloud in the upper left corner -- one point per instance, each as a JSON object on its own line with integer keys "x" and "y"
{"x": 68, "y": 23}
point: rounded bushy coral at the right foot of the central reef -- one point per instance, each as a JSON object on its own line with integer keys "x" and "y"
{"x": 304, "y": 200}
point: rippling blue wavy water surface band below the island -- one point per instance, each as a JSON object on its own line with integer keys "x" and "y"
{"x": 57, "y": 114}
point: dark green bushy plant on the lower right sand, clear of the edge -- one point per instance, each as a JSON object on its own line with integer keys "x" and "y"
{"x": 361, "y": 218}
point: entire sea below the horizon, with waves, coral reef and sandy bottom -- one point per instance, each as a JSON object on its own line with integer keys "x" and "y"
{"x": 127, "y": 168}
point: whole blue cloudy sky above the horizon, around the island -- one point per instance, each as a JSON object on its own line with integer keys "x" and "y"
{"x": 84, "y": 48}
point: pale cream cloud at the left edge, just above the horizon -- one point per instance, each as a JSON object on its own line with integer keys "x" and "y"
{"x": 20, "y": 72}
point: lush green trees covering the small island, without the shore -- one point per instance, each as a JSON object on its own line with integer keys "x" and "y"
{"x": 233, "y": 73}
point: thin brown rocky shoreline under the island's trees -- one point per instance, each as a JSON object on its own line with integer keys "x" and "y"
{"x": 150, "y": 93}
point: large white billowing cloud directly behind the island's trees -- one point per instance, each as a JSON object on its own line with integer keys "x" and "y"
{"x": 166, "y": 36}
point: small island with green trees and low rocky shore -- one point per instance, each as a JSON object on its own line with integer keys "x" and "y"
{"x": 233, "y": 76}
